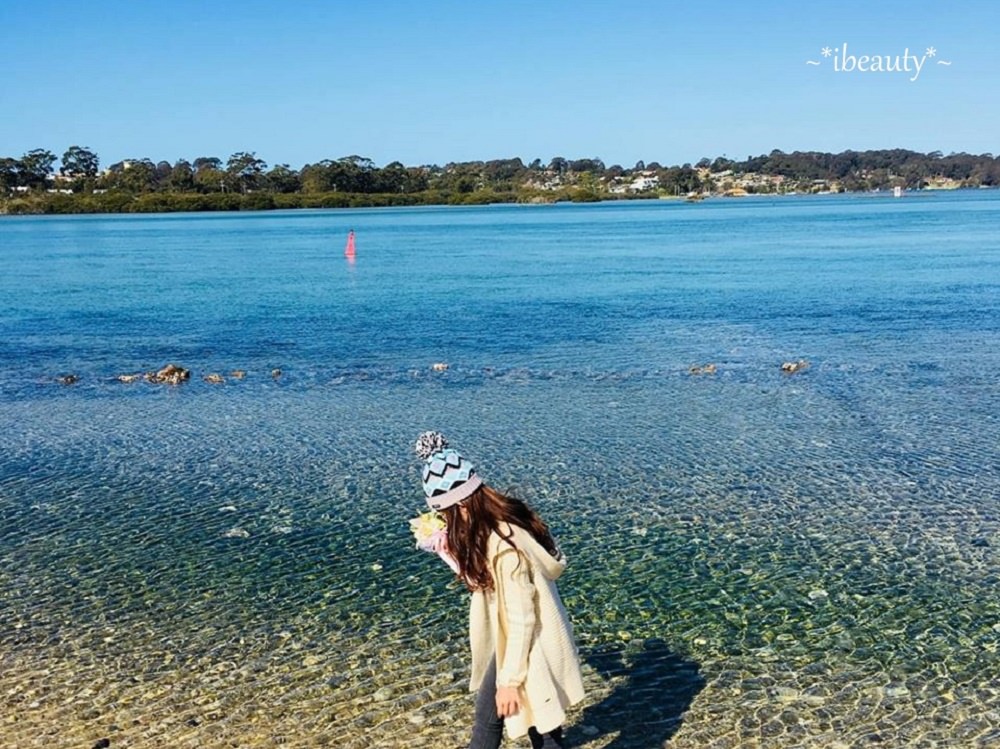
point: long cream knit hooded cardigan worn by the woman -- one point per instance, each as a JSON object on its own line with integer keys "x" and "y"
{"x": 523, "y": 622}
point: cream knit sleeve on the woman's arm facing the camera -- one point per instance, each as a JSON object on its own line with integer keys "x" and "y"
{"x": 516, "y": 598}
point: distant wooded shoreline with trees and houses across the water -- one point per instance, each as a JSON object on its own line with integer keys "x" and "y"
{"x": 32, "y": 183}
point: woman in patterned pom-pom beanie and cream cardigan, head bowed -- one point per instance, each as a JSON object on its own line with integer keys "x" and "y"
{"x": 525, "y": 668}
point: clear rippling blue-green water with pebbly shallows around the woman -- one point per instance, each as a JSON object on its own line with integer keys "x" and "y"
{"x": 756, "y": 558}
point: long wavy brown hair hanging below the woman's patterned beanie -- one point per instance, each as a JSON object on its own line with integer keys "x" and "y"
{"x": 468, "y": 533}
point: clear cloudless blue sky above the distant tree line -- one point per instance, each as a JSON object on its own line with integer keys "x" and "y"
{"x": 433, "y": 81}
